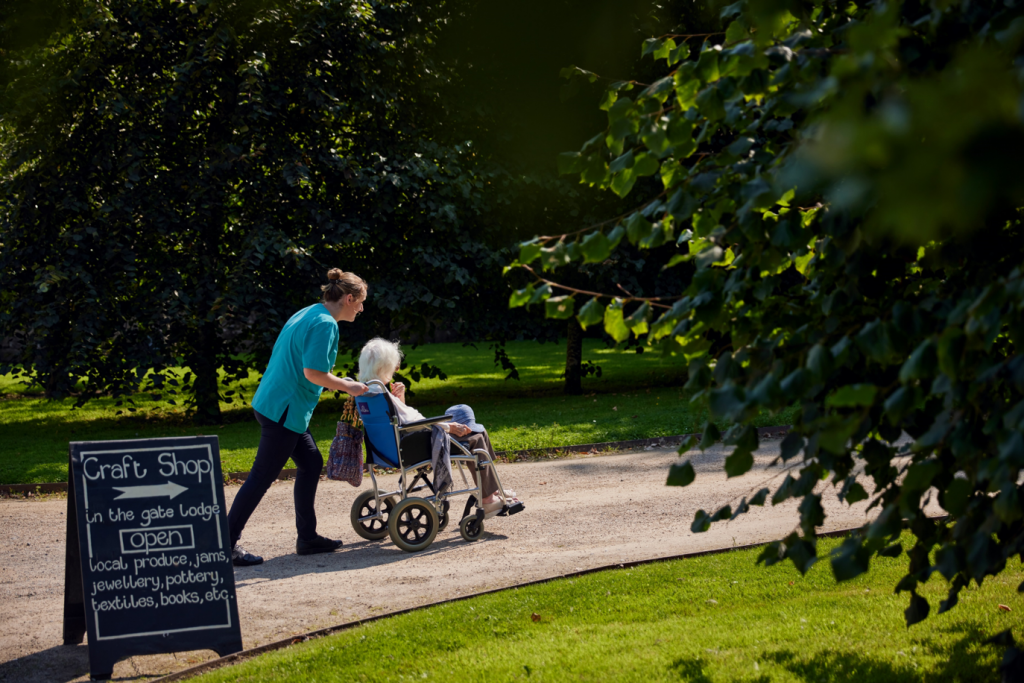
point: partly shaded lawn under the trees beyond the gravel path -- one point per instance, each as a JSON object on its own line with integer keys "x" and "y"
{"x": 637, "y": 397}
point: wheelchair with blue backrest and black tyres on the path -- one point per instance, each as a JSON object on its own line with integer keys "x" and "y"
{"x": 415, "y": 514}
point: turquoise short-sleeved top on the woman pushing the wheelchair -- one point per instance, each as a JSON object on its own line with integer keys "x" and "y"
{"x": 310, "y": 339}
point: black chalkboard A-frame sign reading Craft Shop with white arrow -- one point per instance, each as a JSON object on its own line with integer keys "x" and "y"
{"x": 149, "y": 562}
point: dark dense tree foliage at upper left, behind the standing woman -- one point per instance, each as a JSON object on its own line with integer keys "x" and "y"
{"x": 178, "y": 178}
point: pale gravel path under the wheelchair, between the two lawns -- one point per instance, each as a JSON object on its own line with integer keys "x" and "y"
{"x": 581, "y": 514}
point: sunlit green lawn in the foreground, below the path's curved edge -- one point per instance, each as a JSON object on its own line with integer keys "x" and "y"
{"x": 705, "y": 620}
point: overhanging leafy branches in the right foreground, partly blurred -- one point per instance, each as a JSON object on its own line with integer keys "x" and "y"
{"x": 840, "y": 183}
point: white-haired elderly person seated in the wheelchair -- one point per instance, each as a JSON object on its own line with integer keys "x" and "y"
{"x": 379, "y": 361}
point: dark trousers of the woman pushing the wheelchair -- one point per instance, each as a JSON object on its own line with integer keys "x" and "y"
{"x": 277, "y": 445}
